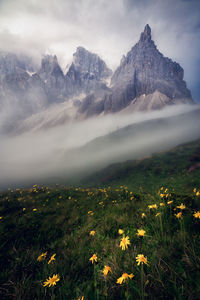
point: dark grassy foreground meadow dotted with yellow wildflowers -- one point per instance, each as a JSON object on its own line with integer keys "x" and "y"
{"x": 99, "y": 243}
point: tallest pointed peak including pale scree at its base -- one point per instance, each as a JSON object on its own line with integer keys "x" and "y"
{"x": 144, "y": 80}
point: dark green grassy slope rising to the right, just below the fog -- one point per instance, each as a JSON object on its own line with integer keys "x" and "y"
{"x": 178, "y": 168}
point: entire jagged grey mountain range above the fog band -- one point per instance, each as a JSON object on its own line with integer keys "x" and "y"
{"x": 144, "y": 80}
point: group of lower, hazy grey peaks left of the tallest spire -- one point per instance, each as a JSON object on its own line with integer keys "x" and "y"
{"x": 25, "y": 90}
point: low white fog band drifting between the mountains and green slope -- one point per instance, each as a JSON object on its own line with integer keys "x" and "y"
{"x": 76, "y": 149}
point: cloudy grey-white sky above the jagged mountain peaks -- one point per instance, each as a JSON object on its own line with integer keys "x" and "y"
{"x": 109, "y": 28}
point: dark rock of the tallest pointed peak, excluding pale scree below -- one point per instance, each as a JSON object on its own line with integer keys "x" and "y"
{"x": 142, "y": 72}
